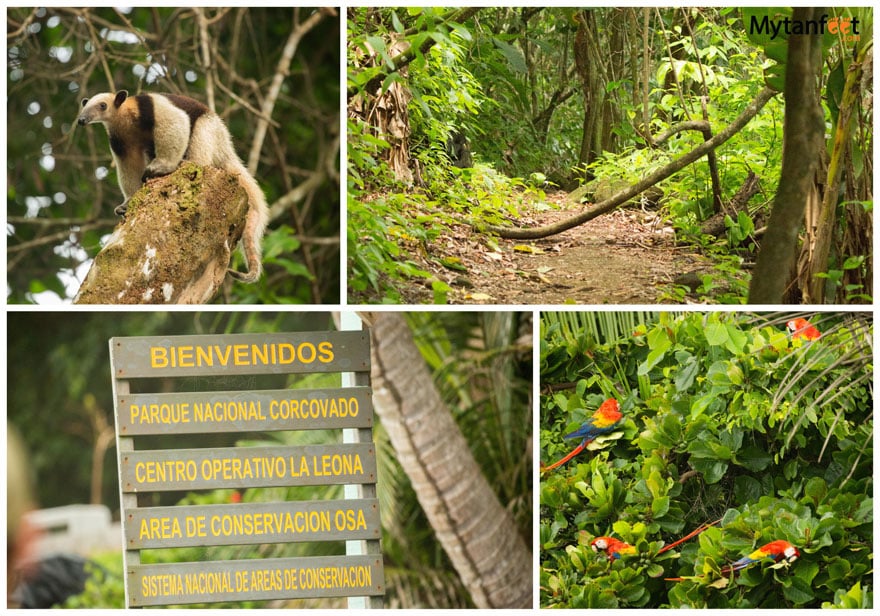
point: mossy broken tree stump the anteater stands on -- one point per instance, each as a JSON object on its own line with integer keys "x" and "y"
{"x": 175, "y": 243}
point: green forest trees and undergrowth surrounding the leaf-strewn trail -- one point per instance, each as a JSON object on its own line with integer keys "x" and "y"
{"x": 556, "y": 98}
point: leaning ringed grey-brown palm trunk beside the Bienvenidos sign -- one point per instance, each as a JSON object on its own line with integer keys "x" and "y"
{"x": 477, "y": 532}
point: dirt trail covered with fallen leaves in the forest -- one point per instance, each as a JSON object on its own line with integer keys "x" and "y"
{"x": 624, "y": 257}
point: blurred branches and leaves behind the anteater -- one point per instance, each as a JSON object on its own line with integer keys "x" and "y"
{"x": 272, "y": 74}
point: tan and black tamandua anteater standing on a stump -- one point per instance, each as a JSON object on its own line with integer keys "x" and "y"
{"x": 150, "y": 134}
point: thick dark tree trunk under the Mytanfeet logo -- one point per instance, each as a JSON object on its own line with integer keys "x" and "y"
{"x": 803, "y": 135}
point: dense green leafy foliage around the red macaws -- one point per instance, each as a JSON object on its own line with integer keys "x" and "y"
{"x": 727, "y": 417}
